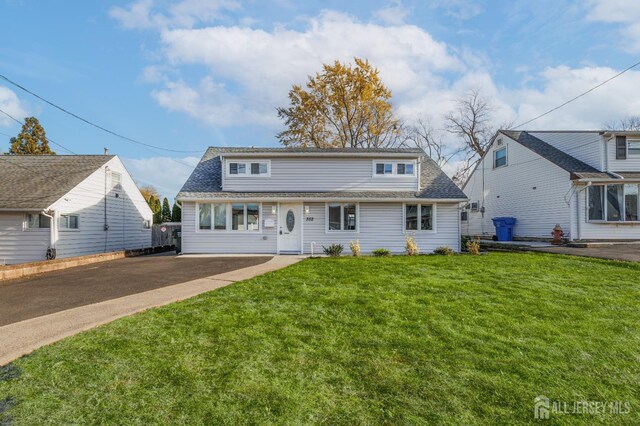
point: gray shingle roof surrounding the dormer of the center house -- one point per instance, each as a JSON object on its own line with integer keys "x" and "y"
{"x": 206, "y": 180}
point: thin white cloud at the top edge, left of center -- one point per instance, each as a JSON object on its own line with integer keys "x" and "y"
{"x": 144, "y": 14}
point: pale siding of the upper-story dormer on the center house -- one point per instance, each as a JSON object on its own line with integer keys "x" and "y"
{"x": 319, "y": 174}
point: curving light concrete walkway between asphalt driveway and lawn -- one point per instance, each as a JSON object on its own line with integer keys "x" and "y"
{"x": 23, "y": 337}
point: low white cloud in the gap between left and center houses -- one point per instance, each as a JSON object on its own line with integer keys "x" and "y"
{"x": 153, "y": 171}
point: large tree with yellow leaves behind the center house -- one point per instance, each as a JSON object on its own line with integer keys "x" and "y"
{"x": 344, "y": 106}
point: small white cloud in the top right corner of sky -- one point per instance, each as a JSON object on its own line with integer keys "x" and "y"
{"x": 623, "y": 12}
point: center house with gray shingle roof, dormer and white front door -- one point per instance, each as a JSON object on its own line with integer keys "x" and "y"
{"x": 288, "y": 200}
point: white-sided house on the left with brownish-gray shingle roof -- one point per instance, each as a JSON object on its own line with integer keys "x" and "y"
{"x": 68, "y": 205}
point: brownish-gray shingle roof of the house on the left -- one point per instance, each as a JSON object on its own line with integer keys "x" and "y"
{"x": 34, "y": 182}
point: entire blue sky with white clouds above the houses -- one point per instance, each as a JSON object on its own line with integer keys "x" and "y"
{"x": 188, "y": 74}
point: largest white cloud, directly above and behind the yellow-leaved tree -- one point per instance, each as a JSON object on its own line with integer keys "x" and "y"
{"x": 262, "y": 65}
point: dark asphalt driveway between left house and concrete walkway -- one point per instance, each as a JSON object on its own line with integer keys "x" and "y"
{"x": 61, "y": 290}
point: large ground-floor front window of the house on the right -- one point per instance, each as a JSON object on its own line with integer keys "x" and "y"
{"x": 613, "y": 203}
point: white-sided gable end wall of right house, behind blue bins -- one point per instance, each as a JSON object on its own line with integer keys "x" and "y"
{"x": 531, "y": 189}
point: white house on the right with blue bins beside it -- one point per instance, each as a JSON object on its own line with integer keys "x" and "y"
{"x": 585, "y": 181}
